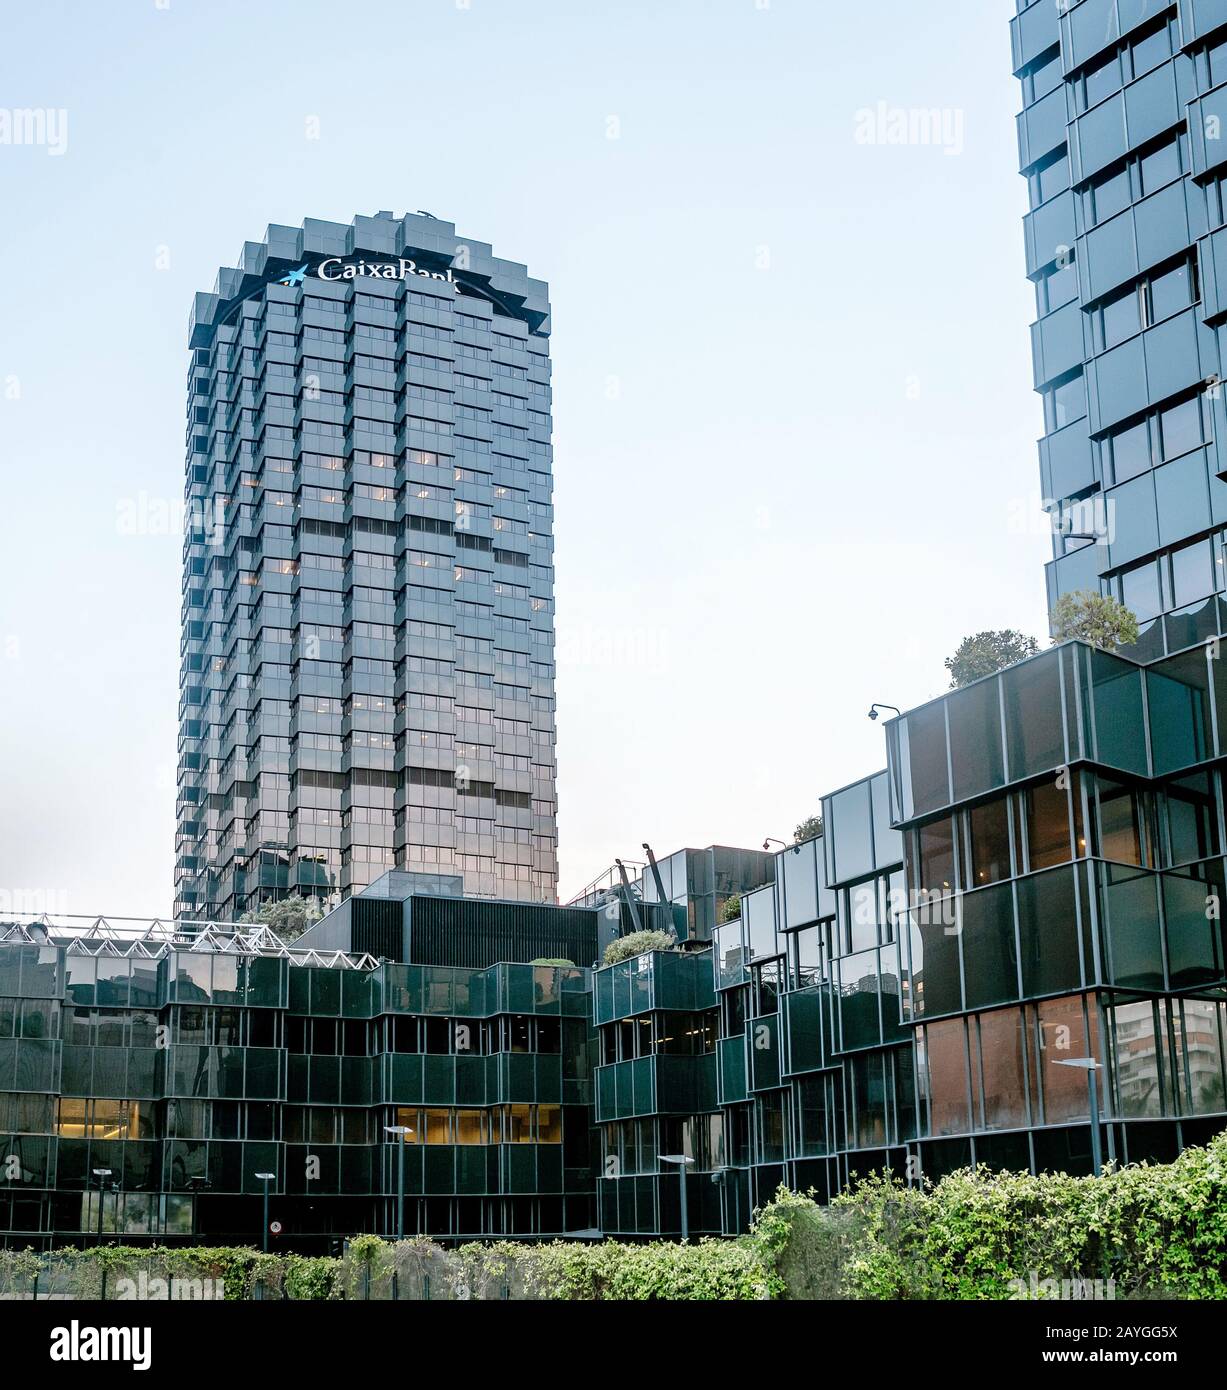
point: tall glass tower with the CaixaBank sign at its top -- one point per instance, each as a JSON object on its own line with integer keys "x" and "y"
{"x": 369, "y": 654}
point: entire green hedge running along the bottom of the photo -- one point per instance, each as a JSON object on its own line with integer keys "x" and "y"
{"x": 1143, "y": 1232}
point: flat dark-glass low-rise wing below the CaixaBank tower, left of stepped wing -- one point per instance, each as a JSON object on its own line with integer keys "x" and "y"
{"x": 184, "y": 1072}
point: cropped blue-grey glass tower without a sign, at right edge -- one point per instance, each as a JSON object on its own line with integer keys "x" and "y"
{"x": 1125, "y": 151}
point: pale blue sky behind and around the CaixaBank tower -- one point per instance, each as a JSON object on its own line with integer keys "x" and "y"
{"x": 796, "y": 432}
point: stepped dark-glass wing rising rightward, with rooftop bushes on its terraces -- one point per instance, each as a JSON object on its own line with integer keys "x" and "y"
{"x": 1036, "y": 881}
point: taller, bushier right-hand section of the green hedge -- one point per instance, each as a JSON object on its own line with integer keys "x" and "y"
{"x": 1142, "y": 1232}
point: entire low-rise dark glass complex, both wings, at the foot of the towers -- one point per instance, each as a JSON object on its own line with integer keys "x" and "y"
{"x": 1036, "y": 879}
